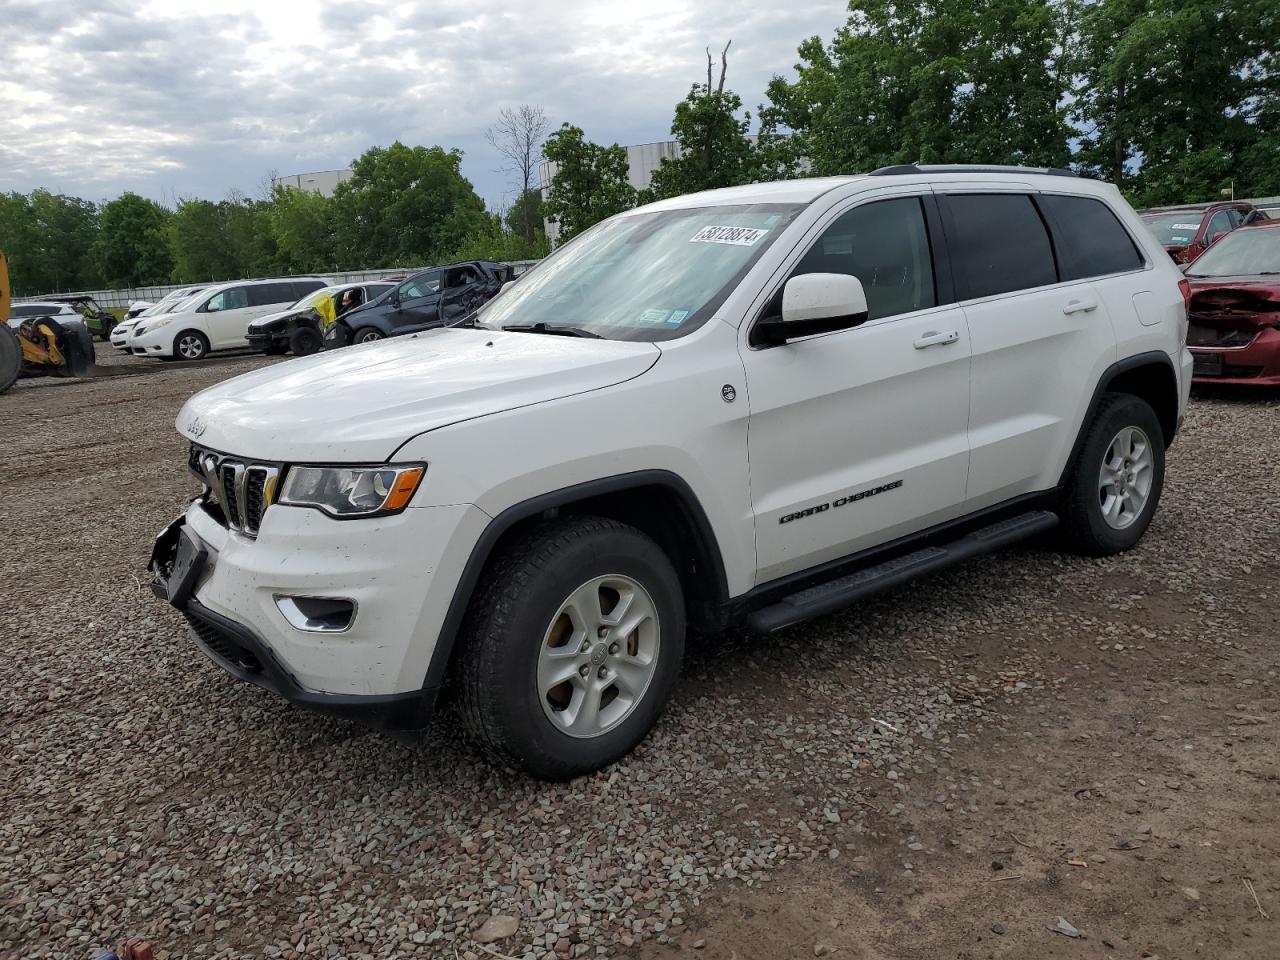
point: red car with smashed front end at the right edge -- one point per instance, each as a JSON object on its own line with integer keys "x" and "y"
{"x": 1235, "y": 308}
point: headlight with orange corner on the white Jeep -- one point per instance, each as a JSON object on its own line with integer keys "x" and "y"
{"x": 354, "y": 492}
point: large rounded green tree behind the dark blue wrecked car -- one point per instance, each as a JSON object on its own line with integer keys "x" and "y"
{"x": 403, "y": 207}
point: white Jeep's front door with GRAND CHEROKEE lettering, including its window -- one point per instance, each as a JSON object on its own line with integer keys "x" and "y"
{"x": 860, "y": 437}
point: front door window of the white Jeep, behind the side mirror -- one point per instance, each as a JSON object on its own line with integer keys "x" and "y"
{"x": 885, "y": 245}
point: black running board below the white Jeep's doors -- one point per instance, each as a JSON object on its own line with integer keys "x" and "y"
{"x": 835, "y": 595}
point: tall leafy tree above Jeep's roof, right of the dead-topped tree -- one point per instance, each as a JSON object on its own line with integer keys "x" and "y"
{"x": 922, "y": 81}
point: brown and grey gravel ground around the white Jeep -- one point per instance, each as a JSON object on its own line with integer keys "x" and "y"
{"x": 860, "y": 787}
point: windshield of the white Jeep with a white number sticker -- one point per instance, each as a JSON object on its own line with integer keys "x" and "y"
{"x": 646, "y": 277}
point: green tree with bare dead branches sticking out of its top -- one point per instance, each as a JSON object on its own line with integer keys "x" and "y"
{"x": 715, "y": 149}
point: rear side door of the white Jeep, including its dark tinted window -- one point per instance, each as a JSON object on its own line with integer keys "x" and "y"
{"x": 1039, "y": 341}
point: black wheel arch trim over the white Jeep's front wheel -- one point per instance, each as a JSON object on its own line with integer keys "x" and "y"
{"x": 657, "y": 502}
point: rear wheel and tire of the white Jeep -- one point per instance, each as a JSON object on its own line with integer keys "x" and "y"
{"x": 1119, "y": 476}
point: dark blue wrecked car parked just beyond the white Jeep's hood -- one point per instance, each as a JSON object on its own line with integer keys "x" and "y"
{"x": 431, "y": 299}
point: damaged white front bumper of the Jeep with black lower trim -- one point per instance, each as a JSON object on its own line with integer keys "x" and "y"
{"x": 400, "y": 570}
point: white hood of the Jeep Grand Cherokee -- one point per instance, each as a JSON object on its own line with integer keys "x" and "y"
{"x": 360, "y": 404}
